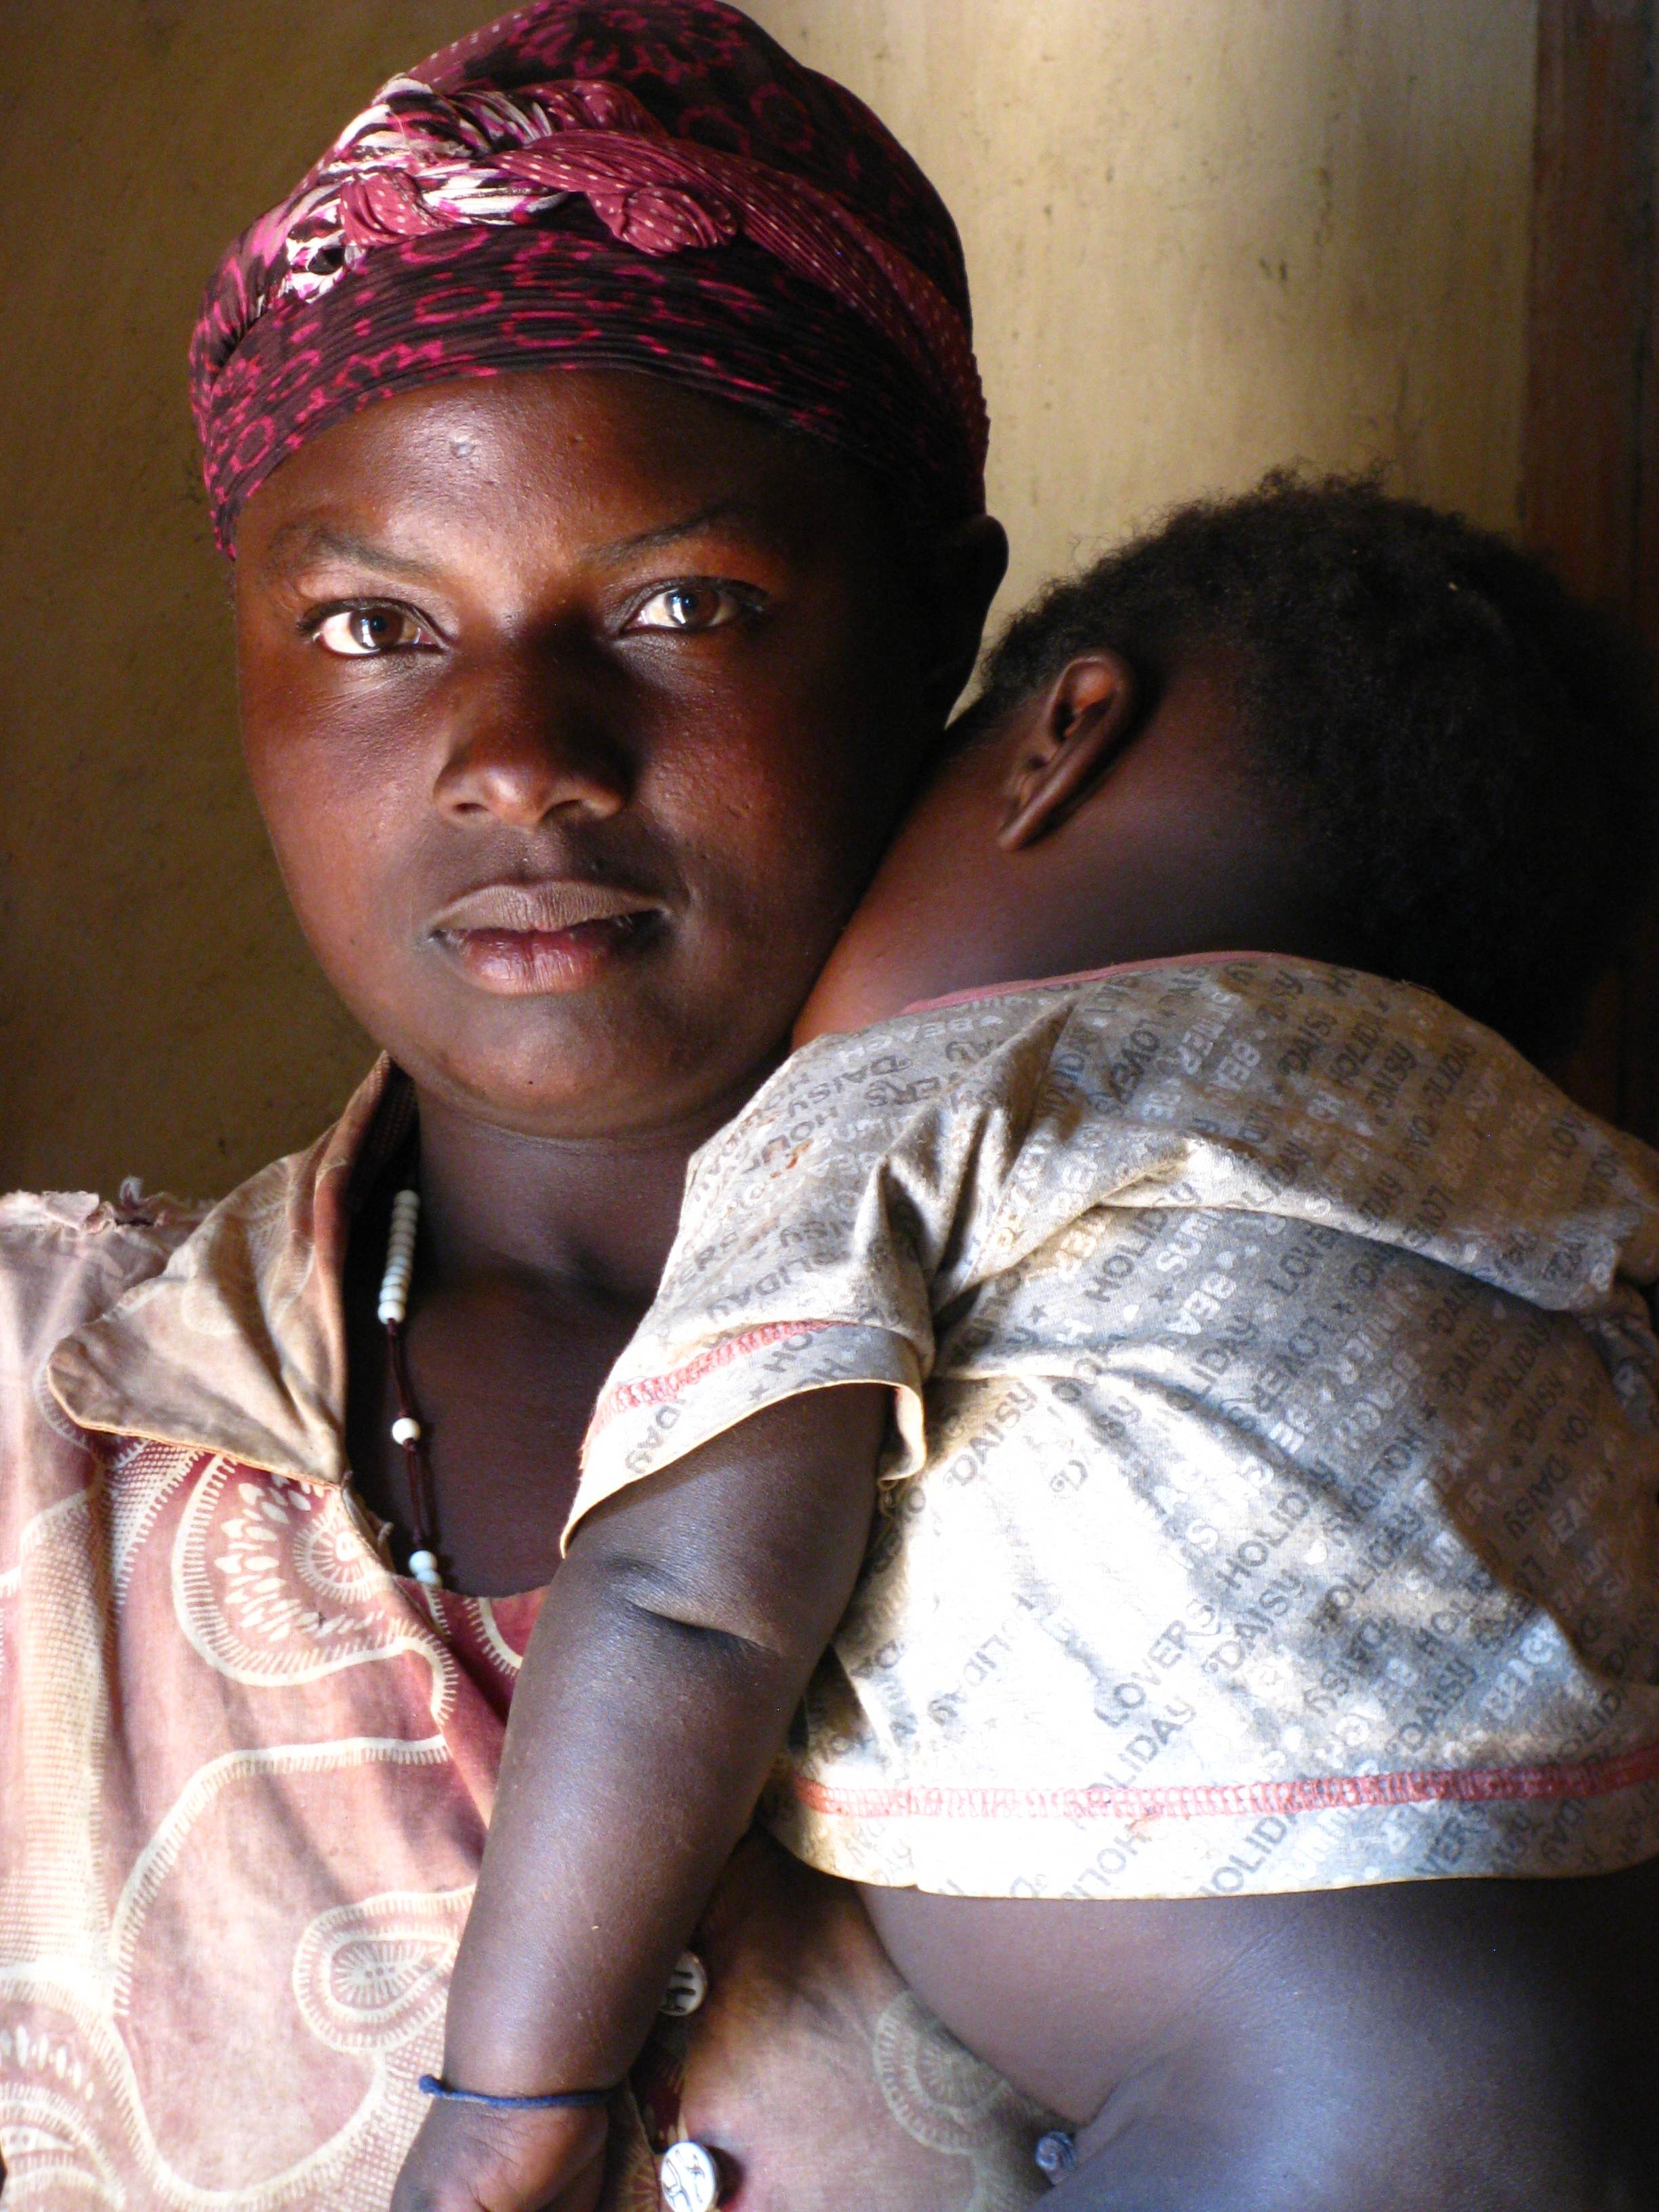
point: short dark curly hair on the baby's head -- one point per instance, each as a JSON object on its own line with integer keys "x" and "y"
{"x": 1465, "y": 749}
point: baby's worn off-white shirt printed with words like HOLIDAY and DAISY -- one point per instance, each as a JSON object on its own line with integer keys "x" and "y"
{"x": 1273, "y": 1494}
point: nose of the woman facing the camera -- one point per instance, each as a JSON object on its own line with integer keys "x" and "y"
{"x": 521, "y": 753}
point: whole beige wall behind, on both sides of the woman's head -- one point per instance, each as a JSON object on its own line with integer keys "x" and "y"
{"x": 1207, "y": 236}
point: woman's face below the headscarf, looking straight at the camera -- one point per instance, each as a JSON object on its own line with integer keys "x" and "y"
{"x": 578, "y": 711}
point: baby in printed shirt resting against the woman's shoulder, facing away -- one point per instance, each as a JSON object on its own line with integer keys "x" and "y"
{"x": 1156, "y": 1472}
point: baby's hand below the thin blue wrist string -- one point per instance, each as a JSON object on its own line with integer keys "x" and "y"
{"x": 477, "y": 2160}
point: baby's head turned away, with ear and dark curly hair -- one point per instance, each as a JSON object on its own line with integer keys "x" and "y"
{"x": 1313, "y": 720}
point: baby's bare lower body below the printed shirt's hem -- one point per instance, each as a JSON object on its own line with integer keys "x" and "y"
{"x": 1381, "y": 2049}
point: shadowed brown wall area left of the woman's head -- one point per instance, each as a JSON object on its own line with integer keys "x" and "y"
{"x": 158, "y": 1008}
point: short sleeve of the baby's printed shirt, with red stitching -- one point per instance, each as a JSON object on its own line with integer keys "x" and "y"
{"x": 813, "y": 1238}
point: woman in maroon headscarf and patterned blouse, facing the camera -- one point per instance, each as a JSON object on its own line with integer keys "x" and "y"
{"x": 581, "y": 702}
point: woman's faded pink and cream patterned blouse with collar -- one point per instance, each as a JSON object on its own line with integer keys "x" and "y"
{"x": 247, "y": 1775}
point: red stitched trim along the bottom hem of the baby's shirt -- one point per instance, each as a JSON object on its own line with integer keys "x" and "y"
{"x": 1204, "y": 1802}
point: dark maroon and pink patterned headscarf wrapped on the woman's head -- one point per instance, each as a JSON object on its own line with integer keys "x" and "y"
{"x": 645, "y": 185}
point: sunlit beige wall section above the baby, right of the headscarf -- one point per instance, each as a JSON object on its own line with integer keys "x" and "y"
{"x": 1215, "y": 236}
